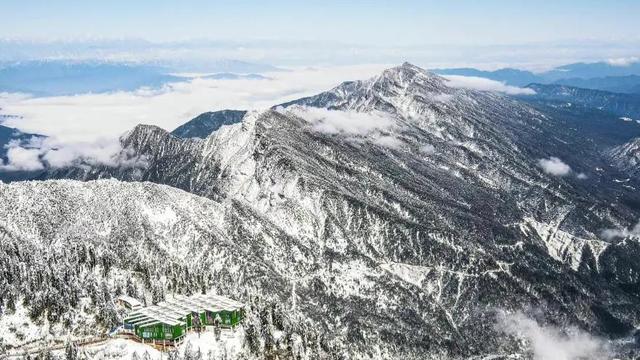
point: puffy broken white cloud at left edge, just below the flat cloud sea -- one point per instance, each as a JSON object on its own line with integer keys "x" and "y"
{"x": 48, "y": 153}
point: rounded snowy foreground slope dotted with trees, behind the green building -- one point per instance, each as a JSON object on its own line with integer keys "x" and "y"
{"x": 69, "y": 248}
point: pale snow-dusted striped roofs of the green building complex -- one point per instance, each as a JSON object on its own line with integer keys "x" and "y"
{"x": 173, "y": 311}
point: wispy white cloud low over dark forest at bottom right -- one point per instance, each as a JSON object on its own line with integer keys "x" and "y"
{"x": 552, "y": 343}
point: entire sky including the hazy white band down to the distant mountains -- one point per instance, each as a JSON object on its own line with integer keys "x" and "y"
{"x": 488, "y": 33}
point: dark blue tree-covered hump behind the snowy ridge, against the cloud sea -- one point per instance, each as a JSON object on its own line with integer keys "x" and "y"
{"x": 204, "y": 124}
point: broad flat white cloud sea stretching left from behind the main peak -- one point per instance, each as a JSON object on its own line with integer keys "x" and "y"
{"x": 88, "y": 117}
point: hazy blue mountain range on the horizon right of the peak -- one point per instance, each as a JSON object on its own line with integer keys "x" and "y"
{"x": 598, "y": 76}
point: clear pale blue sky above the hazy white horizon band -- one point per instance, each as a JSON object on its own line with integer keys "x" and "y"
{"x": 382, "y": 23}
